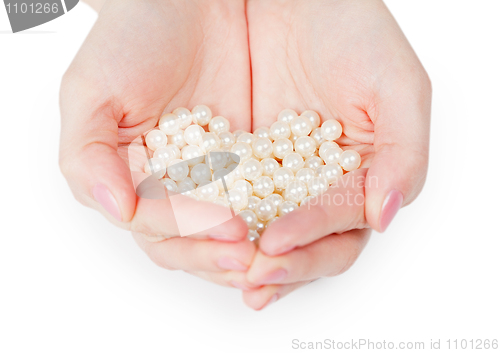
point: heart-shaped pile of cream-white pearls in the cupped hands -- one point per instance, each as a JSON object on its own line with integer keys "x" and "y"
{"x": 267, "y": 174}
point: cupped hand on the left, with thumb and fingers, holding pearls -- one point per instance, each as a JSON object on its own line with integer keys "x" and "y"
{"x": 140, "y": 59}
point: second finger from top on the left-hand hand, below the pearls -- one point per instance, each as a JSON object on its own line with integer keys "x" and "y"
{"x": 198, "y": 255}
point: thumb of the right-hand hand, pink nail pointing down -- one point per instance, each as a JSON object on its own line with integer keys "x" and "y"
{"x": 398, "y": 170}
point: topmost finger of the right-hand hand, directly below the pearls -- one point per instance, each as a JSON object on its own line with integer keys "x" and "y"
{"x": 339, "y": 209}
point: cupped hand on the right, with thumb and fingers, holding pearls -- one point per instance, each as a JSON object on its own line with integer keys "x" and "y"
{"x": 347, "y": 60}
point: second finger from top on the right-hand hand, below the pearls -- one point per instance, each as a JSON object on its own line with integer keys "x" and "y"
{"x": 328, "y": 256}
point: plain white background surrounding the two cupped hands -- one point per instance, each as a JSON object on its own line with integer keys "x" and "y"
{"x": 71, "y": 282}
